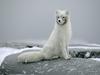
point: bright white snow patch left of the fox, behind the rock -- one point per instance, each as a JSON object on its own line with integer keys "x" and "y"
{"x": 5, "y": 51}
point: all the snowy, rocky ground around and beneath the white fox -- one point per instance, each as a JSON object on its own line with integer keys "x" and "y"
{"x": 78, "y": 65}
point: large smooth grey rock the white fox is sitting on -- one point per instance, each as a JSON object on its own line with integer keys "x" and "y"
{"x": 74, "y": 66}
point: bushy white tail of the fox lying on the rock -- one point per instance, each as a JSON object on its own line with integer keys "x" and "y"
{"x": 30, "y": 56}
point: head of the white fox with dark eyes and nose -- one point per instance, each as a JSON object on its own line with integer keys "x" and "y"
{"x": 62, "y": 17}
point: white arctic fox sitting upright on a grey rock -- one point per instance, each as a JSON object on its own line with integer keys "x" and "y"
{"x": 57, "y": 44}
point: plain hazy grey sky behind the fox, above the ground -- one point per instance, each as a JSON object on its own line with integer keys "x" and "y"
{"x": 35, "y": 19}
